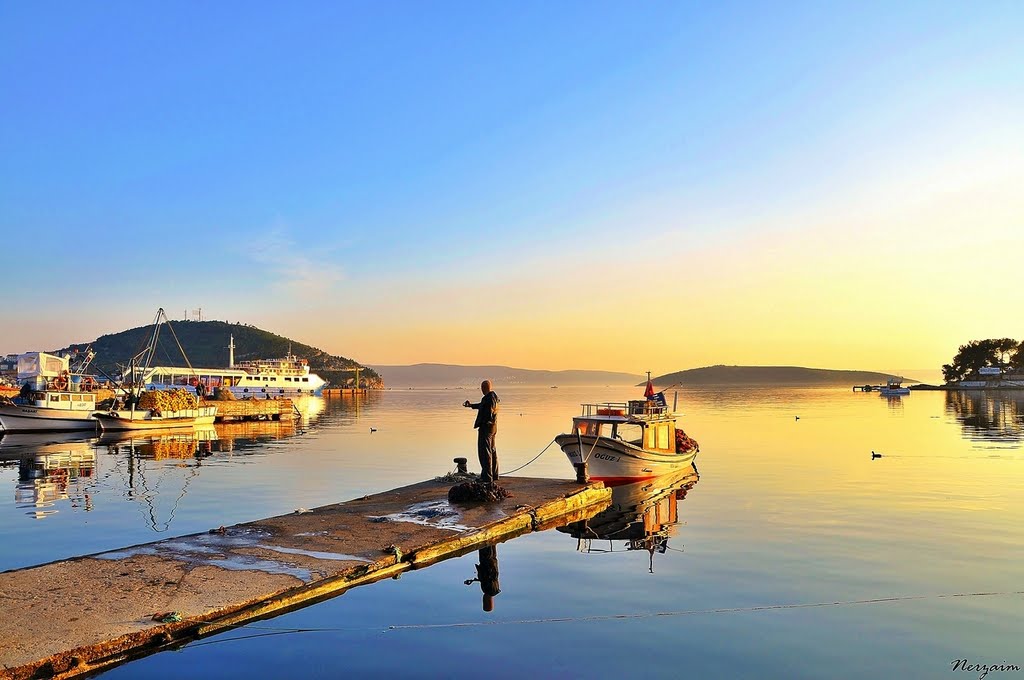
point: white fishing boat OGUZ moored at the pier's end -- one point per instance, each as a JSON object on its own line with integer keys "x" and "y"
{"x": 628, "y": 442}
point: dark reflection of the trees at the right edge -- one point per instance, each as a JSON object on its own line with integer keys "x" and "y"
{"x": 989, "y": 416}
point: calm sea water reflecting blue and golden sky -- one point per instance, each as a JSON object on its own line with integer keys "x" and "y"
{"x": 795, "y": 556}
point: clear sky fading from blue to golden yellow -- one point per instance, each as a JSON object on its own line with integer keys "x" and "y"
{"x": 624, "y": 187}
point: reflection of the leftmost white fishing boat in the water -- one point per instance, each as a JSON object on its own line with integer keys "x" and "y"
{"x": 53, "y": 469}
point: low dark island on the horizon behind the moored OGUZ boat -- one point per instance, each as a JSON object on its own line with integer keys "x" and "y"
{"x": 773, "y": 375}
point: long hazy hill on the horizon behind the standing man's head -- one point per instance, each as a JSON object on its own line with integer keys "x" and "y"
{"x": 447, "y": 375}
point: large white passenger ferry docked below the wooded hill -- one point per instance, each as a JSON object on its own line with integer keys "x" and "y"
{"x": 262, "y": 378}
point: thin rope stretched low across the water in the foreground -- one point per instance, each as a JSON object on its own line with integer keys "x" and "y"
{"x": 272, "y": 631}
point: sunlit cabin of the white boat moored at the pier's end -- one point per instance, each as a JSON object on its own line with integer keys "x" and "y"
{"x": 641, "y": 423}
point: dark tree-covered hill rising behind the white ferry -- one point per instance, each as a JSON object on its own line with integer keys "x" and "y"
{"x": 206, "y": 346}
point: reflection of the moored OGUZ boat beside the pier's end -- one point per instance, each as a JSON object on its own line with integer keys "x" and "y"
{"x": 643, "y": 517}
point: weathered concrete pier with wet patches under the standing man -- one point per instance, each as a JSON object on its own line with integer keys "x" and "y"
{"x": 83, "y": 615}
